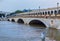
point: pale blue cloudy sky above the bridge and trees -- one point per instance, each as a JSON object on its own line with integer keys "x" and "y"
{"x": 12, "y": 5}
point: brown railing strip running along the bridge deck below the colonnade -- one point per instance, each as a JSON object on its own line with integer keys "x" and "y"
{"x": 37, "y": 15}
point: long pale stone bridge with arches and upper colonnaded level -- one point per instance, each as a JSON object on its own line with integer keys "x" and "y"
{"x": 47, "y": 17}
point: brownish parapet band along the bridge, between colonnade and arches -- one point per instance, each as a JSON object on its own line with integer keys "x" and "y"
{"x": 35, "y": 16}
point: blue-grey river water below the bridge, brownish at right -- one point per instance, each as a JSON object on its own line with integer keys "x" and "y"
{"x": 11, "y": 31}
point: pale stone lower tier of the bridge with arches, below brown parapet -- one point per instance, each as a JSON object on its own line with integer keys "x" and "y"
{"x": 47, "y": 22}
